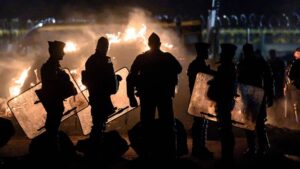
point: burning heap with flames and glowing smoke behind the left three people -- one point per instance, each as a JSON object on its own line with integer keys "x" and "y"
{"x": 126, "y": 42}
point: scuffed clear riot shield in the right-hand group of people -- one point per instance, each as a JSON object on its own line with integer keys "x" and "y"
{"x": 246, "y": 107}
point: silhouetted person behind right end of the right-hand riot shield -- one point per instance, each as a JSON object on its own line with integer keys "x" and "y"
{"x": 254, "y": 70}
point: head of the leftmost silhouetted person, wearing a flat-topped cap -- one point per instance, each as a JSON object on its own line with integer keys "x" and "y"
{"x": 56, "y": 49}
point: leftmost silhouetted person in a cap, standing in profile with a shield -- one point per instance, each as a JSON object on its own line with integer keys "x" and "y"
{"x": 56, "y": 86}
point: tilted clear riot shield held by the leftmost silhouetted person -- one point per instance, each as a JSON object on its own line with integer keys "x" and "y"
{"x": 30, "y": 113}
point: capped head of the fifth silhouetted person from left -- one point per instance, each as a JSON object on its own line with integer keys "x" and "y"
{"x": 227, "y": 52}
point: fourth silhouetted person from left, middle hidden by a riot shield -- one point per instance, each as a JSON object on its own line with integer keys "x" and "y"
{"x": 199, "y": 128}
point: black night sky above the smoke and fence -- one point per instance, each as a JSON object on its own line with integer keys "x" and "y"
{"x": 58, "y": 8}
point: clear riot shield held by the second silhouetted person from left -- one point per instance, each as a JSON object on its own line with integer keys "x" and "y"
{"x": 119, "y": 100}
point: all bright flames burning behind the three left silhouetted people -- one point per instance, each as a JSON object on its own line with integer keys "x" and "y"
{"x": 134, "y": 34}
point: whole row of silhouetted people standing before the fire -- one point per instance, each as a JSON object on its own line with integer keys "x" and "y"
{"x": 152, "y": 78}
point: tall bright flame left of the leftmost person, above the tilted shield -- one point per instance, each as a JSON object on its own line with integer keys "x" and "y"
{"x": 16, "y": 89}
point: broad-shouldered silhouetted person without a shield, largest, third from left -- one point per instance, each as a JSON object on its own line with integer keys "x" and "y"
{"x": 154, "y": 75}
